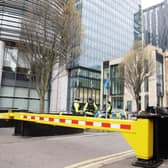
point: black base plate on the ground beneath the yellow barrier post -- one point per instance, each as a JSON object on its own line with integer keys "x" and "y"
{"x": 147, "y": 163}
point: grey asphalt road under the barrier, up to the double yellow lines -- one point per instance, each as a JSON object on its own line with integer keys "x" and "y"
{"x": 56, "y": 151}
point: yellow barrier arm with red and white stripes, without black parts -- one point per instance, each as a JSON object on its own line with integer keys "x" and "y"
{"x": 138, "y": 133}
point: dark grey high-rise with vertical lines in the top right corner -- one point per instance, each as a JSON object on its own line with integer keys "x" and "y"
{"x": 155, "y": 25}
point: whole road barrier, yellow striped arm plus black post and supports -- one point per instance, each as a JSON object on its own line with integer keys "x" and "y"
{"x": 146, "y": 135}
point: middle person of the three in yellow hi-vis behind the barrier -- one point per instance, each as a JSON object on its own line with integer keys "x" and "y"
{"x": 90, "y": 108}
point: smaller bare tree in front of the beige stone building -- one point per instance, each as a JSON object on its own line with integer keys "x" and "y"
{"x": 136, "y": 65}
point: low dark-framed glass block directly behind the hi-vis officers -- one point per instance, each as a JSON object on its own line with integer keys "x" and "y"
{"x": 85, "y": 83}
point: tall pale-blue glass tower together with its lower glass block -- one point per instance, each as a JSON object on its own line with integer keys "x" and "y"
{"x": 109, "y": 28}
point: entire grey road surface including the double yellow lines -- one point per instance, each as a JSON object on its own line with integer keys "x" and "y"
{"x": 53, "y": 148}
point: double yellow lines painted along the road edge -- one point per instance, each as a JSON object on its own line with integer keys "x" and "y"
{"x": 98, "y": 162}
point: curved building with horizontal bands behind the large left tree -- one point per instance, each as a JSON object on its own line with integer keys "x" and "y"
{"x": 16, "y": 89}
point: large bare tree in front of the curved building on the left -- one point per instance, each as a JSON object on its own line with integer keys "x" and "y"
{"x": 50, "y": 35}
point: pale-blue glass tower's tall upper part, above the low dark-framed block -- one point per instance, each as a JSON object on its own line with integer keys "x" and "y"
{"x": 109, "y": 28}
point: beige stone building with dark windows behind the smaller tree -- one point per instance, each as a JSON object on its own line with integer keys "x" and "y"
{"x": 153, "y": 90}
